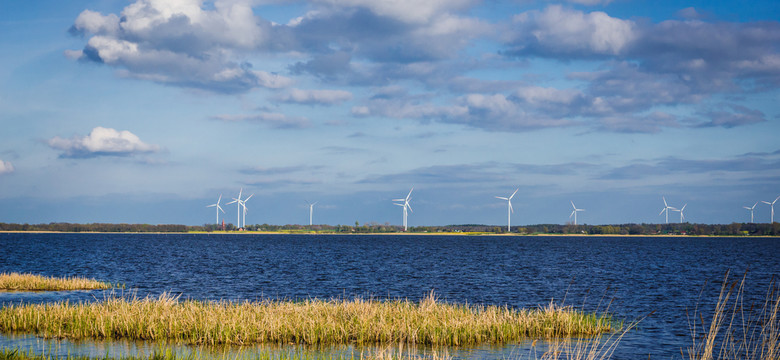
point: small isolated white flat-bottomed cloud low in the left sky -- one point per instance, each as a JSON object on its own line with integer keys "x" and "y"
{"x": 102, "y": 142}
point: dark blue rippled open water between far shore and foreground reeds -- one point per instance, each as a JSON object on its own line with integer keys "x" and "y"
{"x": 629, "y": 276}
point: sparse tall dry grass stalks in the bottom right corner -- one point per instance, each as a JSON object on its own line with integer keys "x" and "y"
{"x": 738, "y": 329}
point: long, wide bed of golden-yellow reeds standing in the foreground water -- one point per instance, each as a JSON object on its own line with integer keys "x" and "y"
{"x": 316, "y": 322}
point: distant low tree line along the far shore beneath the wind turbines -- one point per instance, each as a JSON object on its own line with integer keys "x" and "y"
{"x": 734, "y": 229}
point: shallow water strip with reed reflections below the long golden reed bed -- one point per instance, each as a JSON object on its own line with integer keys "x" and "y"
{"x": 526, "y": 349}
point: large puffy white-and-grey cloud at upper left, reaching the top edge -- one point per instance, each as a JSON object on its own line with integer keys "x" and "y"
{"x": 180, "y": 43}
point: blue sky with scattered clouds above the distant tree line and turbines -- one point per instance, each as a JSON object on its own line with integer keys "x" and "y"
{"x": 147, "y": 111}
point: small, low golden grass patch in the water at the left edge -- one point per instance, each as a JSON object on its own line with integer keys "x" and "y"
{"x": 32, "y": 282}
